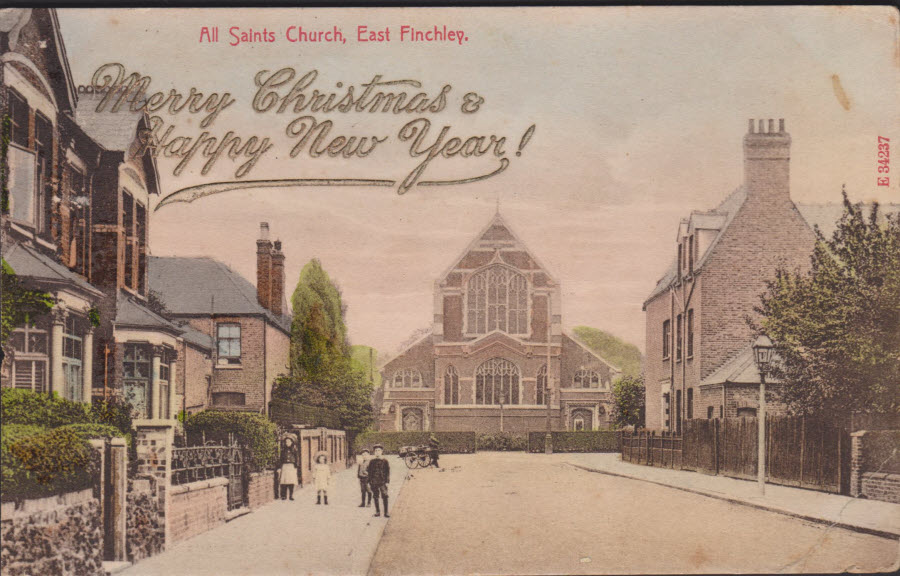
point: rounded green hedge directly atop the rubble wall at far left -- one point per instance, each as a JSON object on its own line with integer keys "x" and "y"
{"x": 49, "y": 462}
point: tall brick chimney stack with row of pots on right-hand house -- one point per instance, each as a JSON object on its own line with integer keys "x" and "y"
{"x": 767, "y": 156}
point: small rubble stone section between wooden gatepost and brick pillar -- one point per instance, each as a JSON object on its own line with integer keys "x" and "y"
{"x": 145, "y": 531}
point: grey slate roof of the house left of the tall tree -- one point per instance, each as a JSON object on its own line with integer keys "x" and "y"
{"x": 202, "y": 286}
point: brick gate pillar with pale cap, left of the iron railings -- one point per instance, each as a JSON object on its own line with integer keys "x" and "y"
{"x": 154, "y": 440}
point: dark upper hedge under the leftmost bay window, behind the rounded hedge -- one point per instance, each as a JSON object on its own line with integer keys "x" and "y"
{"x": 50, "y": 411}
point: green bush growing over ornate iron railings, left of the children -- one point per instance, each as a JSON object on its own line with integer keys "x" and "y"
{"x": 254, "y": 432}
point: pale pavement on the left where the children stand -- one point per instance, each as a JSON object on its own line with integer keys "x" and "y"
{"x": 286, "y": 537}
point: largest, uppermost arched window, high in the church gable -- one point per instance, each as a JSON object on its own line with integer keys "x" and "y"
{"x": 497, "y": 299}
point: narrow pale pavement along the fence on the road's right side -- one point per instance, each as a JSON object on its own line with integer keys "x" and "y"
{"x": 857, "y": 514}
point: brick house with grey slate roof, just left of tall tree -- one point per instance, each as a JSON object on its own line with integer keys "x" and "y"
{"x": 246, "y": 327}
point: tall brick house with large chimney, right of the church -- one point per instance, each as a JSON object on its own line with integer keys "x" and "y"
{"x": 699, "y": 361}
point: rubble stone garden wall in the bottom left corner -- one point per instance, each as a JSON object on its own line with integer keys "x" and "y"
{"x": 60, "y": 535}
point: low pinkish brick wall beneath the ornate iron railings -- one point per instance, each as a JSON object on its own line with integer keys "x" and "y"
{"x": 196, "y": 508}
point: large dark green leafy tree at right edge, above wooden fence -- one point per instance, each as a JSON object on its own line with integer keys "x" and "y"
{"x": 836, "y": 328}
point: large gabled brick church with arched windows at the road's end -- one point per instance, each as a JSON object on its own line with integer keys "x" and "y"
{"x": 485, "y": 360}
